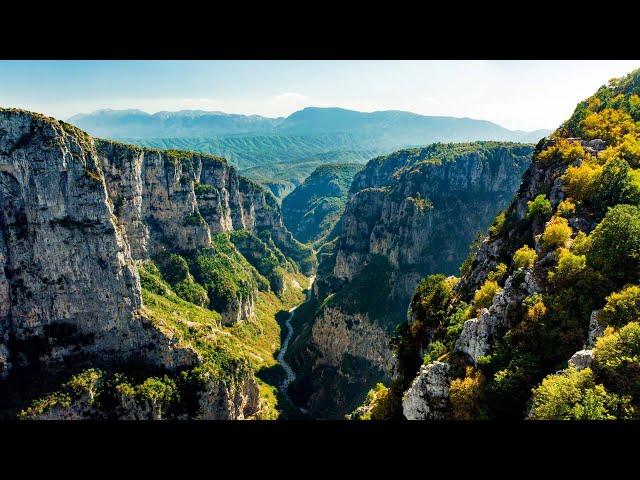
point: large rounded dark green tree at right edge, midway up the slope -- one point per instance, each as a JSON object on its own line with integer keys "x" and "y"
{"x": 614, "y": 245}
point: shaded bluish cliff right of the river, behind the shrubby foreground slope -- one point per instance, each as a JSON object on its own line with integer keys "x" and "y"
{"x": 409, "y": 214}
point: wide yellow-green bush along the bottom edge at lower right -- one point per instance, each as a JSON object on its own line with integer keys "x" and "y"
{"x": 574, "y": 395}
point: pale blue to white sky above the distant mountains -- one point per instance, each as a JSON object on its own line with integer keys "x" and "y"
{"x": 520, "y": 95}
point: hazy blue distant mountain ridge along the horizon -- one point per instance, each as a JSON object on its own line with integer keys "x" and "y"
{"x": 389, "y": 127}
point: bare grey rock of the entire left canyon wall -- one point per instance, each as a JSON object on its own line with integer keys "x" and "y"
{"x": 74, "y": 215}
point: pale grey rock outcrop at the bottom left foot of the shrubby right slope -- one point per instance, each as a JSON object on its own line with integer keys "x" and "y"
{"x": 428, "y": 396}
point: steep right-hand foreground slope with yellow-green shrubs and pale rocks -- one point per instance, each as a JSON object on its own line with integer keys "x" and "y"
{"x": 544, "y": 322}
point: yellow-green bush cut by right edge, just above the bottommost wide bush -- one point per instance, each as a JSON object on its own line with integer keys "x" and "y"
{"x": 617, "y": 359}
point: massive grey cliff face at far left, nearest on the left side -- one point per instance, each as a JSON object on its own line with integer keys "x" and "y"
{"x": 70, "y": 289}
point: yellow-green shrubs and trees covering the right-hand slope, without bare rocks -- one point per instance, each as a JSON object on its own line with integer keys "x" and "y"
{"x": 585, "y": 259}
